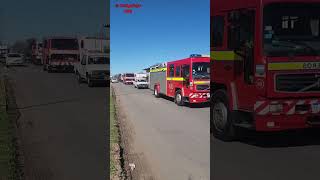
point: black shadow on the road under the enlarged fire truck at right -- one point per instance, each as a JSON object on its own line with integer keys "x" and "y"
{"x": 282, "y": 139}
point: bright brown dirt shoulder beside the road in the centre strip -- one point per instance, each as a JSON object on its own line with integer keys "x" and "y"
{"x": 135, "y": 164}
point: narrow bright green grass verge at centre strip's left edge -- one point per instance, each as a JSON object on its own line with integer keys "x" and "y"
{"x": 114, "y": 136}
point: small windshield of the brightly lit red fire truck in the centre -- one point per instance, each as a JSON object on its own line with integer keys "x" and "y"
{"x": 201, "y": 70}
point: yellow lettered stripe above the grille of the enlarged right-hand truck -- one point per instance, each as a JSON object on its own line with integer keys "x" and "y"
{"x": 293, "y": 66}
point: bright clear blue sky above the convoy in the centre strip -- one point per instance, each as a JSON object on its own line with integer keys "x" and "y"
{"x": 159, "y": 31}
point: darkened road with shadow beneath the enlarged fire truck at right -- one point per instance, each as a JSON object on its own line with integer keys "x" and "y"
{"x": 291, "y": 155}
